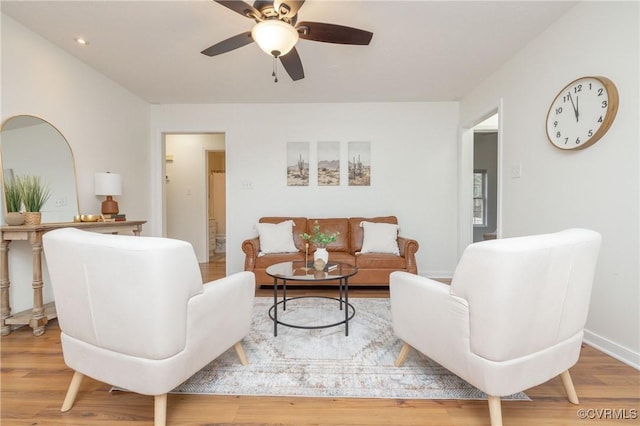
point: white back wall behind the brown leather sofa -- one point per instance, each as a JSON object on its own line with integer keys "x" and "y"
{"x": 413, "y": 151}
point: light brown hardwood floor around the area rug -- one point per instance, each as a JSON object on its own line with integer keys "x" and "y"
{"x": 34, "y": 380}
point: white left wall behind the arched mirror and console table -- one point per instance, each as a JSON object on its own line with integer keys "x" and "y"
{"x": 106, "y": 126}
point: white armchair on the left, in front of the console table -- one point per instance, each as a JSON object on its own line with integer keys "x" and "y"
{"x": 135, "y": 314}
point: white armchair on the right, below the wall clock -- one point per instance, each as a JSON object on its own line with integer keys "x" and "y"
{"x": 512, "y": 318}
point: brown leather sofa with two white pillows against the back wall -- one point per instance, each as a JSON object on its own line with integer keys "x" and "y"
{"x": 373, "y": 268}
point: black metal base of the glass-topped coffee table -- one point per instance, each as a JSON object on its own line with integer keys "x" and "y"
{"x": 349, "y": 310}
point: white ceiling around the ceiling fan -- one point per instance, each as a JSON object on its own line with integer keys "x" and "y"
{"x": 420, "y": 51}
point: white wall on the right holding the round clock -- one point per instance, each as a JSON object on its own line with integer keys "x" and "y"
{"x": 595, "y": 188}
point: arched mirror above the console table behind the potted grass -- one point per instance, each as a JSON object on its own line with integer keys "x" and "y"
{"x": 32, "y": 146}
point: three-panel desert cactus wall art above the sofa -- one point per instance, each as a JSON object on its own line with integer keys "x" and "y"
{"x": 328, "y": 163}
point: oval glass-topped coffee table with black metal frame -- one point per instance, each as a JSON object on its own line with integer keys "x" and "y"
{"x": 299, "y": 271}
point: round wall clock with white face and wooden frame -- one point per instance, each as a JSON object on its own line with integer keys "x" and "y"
{"x": 582, "y": 112}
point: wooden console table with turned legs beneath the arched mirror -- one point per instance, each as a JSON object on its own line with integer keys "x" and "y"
{"x": 38, "y": 317}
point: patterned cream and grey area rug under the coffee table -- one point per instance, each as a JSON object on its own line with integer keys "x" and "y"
{"x": 325, "y": 362}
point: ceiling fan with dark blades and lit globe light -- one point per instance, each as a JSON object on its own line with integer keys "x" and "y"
{"x": 277, "y": 31}
